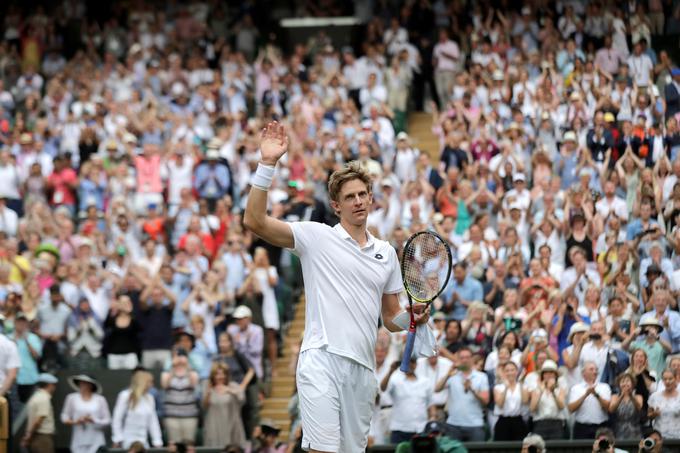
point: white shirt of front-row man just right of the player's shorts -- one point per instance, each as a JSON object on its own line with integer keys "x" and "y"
{"x": 410, "y": 401}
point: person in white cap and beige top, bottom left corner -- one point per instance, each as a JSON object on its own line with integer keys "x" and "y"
{"x": 40, "y": 431}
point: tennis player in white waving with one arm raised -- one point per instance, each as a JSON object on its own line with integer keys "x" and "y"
{"x": 351, "y": 280}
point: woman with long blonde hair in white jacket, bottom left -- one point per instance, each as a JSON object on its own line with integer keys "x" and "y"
{"x": 134, "y": 415}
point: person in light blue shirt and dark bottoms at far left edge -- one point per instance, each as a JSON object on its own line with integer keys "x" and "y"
{"x": 30, "y": 349}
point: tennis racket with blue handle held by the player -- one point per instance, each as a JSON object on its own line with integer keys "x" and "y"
{"x": 425, "y": 269}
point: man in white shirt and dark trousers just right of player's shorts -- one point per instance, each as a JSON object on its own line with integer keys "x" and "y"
{"x": 411, "y": 402}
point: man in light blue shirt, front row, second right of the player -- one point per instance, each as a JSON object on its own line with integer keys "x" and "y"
{"x": 468, "y": 396}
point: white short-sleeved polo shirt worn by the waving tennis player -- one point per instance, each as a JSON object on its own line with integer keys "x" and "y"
{"x": 344, "y": 285}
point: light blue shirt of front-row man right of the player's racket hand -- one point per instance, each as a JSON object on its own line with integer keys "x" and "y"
{"x": 464, "y": 408}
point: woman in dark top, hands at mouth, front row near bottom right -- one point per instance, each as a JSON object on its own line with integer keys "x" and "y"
{"x": 627, "y": 408}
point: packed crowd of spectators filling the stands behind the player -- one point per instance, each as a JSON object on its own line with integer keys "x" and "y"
{"x": 127, "y": 142}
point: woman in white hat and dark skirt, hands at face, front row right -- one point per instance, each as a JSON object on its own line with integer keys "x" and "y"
{"x": 547, "y": 402}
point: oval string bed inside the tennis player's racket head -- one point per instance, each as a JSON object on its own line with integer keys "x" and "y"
{"x": 423, "y": 267}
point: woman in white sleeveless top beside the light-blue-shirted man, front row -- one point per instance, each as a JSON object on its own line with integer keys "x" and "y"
{"x": 508, "y": 399}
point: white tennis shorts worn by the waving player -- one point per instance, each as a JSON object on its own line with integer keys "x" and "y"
{"x": 336, "y": 402}
